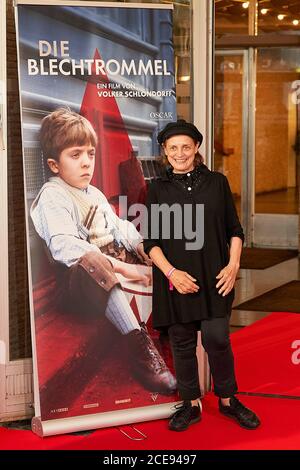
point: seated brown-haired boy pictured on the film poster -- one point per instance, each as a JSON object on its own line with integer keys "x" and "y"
{"x": 90, "y": 244}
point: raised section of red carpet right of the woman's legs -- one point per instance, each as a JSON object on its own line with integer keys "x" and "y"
{"x": 264, "y": 353}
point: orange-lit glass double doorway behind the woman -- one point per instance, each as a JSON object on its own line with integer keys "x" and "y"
{"x": 257, "y": 139}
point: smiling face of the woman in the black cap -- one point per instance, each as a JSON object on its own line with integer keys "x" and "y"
{"x": 180, "y": 151}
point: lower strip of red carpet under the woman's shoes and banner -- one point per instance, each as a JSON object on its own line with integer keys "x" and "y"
{"x": 279, "y": 430}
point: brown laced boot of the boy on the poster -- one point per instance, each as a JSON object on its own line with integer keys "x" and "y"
{"x": 147, "y": 365}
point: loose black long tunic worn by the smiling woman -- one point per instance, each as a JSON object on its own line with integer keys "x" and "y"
{"x": 221, "y": 223}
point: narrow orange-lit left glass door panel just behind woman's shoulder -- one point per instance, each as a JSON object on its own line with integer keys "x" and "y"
{"x": 231, "y": 127}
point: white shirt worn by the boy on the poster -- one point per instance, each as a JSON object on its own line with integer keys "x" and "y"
{"x": 55, "y": 219}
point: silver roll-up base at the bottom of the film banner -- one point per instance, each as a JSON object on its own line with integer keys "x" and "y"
{"x": 101, "y": 420}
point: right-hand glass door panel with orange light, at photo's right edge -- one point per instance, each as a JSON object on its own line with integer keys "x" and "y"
{"x": 277, "y": 147}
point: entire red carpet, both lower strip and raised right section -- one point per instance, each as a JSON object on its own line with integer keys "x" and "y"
{"x": 263, "y": 360}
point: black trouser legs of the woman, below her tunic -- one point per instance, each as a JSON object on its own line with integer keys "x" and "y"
{"x": 216, "y": 342}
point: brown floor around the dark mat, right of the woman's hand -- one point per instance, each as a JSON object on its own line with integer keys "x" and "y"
{"x": 254, "y": 282}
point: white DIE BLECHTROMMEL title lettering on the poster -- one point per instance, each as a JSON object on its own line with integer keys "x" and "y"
{"x": 55, "y": 59}
